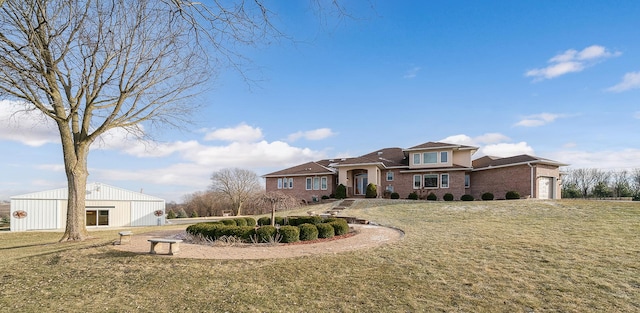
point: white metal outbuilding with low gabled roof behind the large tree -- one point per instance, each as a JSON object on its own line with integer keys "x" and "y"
{"x": 105, "y": 206}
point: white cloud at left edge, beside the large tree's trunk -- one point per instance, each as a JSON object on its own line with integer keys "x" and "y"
{"x": 30, "y": 128}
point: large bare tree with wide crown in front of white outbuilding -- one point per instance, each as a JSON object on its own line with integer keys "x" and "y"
{"x": 93, "y": 66}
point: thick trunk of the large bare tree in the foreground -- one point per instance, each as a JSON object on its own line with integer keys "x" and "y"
{"x": 75, "y": 164}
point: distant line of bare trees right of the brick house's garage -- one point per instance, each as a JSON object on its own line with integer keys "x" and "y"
{"x": 596, "y": 183}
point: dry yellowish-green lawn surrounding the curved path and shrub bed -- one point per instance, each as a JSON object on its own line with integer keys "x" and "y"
{"x": 499, "y": 256}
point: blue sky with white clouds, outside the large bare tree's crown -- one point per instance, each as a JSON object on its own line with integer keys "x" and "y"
{"x": 556, "y": 79}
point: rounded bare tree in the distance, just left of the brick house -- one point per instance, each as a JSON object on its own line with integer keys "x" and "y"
{"x": 238, "y": 185}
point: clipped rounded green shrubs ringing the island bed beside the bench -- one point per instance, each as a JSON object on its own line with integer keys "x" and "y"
{"x": 323, "y": 228}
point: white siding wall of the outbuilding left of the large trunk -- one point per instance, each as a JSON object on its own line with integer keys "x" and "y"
{"x": 41, "y": 214}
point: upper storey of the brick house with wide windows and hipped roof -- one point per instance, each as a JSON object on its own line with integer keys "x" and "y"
{"x": 439, "y": 155}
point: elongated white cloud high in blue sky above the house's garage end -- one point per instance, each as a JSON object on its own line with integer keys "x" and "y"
{"x": 571, "y": 61}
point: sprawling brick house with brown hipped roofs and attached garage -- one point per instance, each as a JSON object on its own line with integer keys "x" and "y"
{"x": 432, "y": 167}
